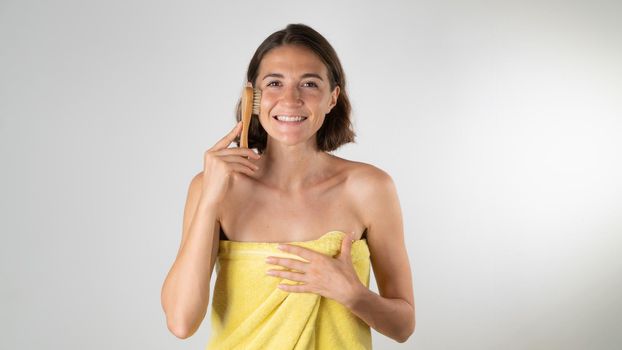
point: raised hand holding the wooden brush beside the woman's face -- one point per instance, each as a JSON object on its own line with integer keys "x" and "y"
{"x": 221, "y": 163}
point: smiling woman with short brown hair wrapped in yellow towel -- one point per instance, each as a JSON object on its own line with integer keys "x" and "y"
{"x": 338, "y": 215}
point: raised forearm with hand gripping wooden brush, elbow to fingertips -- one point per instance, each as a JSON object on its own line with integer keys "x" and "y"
{"x": 185, "y": 292}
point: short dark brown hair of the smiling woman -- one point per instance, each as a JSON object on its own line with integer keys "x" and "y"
{"x": 337, "y": 127}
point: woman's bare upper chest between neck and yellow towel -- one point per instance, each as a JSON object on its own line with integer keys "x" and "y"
{"x": 256, "y": 214}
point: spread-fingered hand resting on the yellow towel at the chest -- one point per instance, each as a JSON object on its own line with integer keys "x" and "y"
{"x": 330, "y": 277}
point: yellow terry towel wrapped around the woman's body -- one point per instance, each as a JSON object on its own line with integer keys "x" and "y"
{"x": 250, "y": 312}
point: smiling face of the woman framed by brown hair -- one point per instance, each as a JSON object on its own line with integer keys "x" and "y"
{"x": 295, "y": 88}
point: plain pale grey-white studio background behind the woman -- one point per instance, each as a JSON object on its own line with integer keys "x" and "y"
{"x": 500, "y": 123}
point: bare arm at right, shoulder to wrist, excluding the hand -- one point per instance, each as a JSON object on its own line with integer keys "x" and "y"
{"x": 391, "y": 313}
